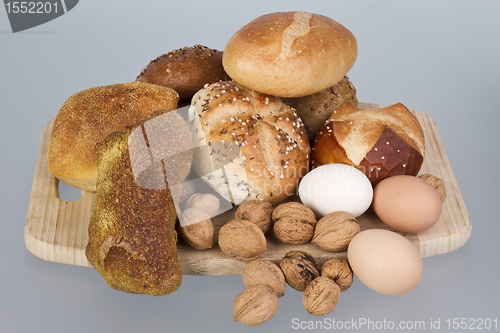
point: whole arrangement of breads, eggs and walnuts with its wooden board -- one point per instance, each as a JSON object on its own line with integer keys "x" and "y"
{"x": 258, "y": 161}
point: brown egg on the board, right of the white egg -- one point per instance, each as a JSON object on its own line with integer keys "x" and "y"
{"x": 407, "y": 203}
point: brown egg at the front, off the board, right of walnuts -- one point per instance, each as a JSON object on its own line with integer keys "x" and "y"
{"x": 385, "y": 261}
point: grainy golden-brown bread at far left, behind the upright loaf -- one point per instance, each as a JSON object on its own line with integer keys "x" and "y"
{"x": 88, "y": 116}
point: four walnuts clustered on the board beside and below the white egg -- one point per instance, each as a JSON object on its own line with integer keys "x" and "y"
{"x": 292, "y": 223}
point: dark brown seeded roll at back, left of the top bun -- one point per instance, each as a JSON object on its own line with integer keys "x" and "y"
{"x": 185, "y": 70}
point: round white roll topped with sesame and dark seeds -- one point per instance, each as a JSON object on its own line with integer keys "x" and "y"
{"x": 247, "y": 145}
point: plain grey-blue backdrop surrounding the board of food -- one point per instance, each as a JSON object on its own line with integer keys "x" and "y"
{"x": 439, "y": 57}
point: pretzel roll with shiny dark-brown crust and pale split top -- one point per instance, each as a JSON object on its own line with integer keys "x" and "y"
{"x": 380, "y": 142}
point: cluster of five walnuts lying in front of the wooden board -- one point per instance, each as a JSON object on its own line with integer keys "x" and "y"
{"x": 265, "y": 283}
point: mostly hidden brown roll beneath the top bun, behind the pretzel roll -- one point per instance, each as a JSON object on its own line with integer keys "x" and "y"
{"x": 315, "y": 109}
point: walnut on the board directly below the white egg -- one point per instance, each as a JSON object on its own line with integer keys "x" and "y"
{"x": 334, "y": 231}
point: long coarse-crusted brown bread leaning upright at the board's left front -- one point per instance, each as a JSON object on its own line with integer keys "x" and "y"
{"x": 132, "y": 237}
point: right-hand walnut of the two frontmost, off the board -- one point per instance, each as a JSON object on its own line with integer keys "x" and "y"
{"x": 321, "y": 296}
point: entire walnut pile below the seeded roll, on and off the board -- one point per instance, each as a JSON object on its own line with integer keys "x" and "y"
{"x": 244, "y": 239}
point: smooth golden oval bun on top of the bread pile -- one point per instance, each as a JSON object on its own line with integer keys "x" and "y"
{"x": 290, "y": 54}
